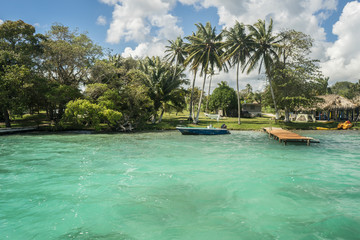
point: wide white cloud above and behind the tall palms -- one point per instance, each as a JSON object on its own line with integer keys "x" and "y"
{"x": 302, "y": 15}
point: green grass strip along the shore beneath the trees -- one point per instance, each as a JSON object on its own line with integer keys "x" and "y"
{"x": 170, "y": 121}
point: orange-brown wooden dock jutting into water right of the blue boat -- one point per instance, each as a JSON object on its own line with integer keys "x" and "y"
{"x": 287, "y": 136}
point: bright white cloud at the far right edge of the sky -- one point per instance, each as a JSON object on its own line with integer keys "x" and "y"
{"x": 344, "y": 55}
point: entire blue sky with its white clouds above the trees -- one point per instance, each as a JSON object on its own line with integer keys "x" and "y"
{"x": 142, "y": 27}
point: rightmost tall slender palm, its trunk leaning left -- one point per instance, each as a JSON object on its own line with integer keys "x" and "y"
{"x": 265, "y": 52}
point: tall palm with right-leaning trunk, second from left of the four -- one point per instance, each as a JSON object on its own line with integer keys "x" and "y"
{"x": 205, "y": 51}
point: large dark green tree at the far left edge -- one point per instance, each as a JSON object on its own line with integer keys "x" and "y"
{"x": 20, "y": 49}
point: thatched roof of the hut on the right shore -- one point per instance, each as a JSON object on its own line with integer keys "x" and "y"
{"x": 334, "y": 102}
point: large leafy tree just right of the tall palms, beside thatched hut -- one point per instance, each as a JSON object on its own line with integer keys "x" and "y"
{"x": 297, "y": 79}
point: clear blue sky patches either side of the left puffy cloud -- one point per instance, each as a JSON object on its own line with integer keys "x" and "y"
{"x": 83, "y": 14}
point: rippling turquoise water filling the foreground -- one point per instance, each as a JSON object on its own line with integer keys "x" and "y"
{"x": 168, "y": 186}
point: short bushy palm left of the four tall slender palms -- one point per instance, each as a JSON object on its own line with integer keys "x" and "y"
{"x": 162, "y": 83}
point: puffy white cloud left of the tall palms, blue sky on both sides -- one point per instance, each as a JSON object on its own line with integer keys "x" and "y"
{"x": 147, "y": 23}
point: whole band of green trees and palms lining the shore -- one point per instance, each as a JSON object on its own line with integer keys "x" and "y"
{"x": 65, "y": 74}
